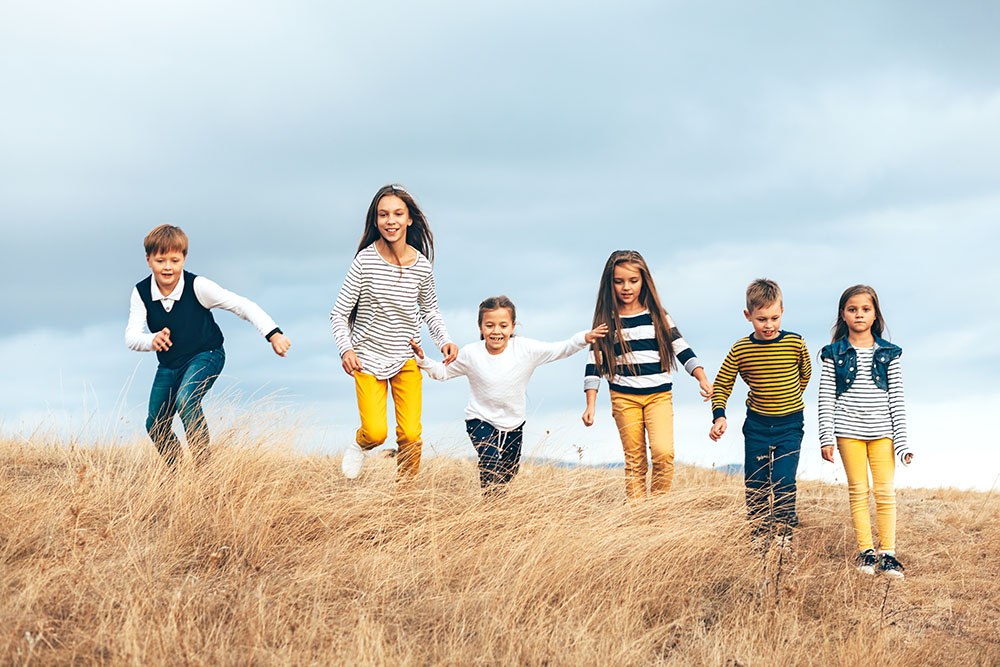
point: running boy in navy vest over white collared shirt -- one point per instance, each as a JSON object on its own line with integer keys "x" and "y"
{"x": 176, "y": 306}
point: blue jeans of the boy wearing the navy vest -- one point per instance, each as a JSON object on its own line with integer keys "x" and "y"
{"x": 182, "y": 390}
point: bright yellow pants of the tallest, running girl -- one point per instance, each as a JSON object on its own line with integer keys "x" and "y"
{"x": 406, "y": 398}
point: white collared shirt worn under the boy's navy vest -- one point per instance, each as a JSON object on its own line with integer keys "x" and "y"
{"x": 209, "y": 294}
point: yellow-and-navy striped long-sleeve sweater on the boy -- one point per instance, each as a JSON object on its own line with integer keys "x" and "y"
{"x": 776, "y": 372}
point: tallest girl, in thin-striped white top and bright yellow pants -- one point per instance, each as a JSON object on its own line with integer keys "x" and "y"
{"x": 388, "y": 289}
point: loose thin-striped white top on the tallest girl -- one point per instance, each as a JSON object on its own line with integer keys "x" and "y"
{"x": 391, "y": 301}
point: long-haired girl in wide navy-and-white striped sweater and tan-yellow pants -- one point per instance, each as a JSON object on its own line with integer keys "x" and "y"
{"x": 645, "y": 345}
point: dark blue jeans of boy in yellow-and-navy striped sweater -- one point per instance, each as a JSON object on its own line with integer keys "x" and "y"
{"x": 772, "y": 447}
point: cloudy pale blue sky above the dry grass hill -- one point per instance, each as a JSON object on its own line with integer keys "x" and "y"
{"x": 818, "y": 145}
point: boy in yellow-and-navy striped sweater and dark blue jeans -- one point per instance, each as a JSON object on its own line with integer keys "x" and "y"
{"x": 775, "y": 366}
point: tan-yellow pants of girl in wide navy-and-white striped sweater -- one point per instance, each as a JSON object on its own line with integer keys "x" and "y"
{"x": 636, "y": 416}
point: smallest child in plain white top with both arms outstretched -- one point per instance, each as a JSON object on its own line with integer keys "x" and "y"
{"x": 498, "y": 368}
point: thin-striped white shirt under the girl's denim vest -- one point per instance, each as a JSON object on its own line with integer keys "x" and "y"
{"x": 863, "y": 412}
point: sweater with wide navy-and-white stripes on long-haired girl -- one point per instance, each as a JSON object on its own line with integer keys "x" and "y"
{"x": 640, "y": 371}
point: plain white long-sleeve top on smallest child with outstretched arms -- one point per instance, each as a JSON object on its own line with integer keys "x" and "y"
{"x": 498, "y": 382}
